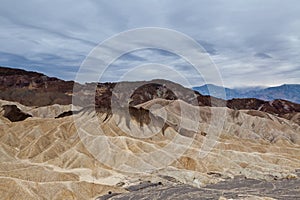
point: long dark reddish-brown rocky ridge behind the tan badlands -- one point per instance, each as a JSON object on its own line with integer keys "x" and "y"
{"x": 36, "y": 89}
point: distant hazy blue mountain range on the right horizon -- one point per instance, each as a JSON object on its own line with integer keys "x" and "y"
{"x": 290, "y": 92}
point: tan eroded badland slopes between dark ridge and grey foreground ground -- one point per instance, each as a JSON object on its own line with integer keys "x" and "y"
{"x": 81, "y": 157}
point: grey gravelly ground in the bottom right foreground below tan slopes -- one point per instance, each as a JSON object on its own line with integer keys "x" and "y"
{"x": 237, "y": 188}
